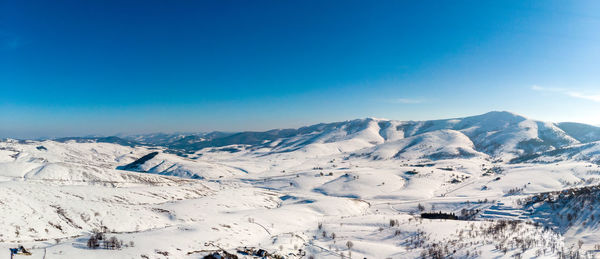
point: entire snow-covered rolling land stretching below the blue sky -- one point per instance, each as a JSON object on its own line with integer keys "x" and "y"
{"x": 349, "y": 189}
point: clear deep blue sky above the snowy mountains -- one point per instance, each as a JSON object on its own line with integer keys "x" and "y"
{"x": 106, "y": 67}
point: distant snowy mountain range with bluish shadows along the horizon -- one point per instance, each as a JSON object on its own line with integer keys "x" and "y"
{"x": 499, "y": 135}
